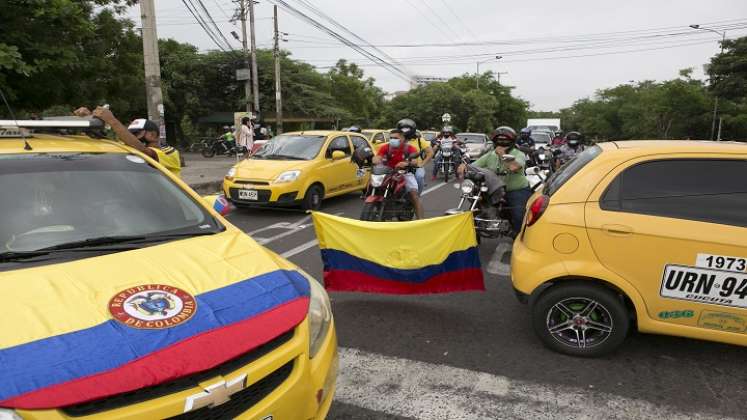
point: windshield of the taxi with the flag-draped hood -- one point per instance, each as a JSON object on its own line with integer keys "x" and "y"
{"x": 74, "y": 201}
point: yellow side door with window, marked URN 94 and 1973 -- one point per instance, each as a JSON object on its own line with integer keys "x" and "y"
{"x": 675, "y": 227}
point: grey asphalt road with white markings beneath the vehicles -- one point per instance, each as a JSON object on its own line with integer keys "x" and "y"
{"x": 473, "y": 355}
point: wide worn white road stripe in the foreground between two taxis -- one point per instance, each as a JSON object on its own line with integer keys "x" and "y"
{"x": 401, "y": 387}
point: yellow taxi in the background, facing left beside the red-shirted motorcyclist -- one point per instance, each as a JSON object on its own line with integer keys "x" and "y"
{"x": 298, "y": 169}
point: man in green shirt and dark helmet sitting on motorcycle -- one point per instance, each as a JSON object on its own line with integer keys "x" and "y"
{"x": 517, "y": 185}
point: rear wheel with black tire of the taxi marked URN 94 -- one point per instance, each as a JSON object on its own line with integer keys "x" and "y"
{"x": 562, "y": 307}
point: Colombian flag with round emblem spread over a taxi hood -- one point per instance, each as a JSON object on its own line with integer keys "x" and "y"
{"x": 96, "y": 327}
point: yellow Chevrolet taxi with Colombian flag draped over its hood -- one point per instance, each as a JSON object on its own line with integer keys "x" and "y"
{"x": 126, "y": 295}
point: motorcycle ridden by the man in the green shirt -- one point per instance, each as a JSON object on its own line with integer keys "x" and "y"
{"x": 483, "y": 193}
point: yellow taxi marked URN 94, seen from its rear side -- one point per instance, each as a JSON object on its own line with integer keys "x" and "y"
{"x": 646, "y": 234}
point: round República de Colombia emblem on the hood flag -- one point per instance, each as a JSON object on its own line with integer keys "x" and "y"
{"x": 152, "y": 306}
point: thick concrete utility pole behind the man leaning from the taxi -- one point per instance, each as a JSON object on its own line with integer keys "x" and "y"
{"x": 153, "y": 93}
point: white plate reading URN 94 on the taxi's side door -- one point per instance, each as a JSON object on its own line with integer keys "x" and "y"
{"x": 702, "y": 285}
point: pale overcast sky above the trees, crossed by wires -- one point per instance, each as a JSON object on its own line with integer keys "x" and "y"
{"x": 597, "y": 30}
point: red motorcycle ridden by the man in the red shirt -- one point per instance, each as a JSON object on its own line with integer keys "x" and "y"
{"x": 386, "y": 196}
